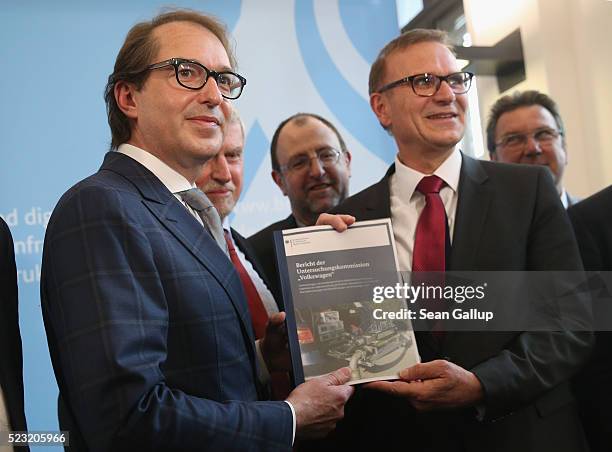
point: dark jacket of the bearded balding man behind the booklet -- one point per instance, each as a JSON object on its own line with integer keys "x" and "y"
{"x": 262, "y": 244}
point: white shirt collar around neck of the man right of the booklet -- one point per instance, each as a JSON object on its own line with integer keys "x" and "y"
{"x": 409, "y": 178}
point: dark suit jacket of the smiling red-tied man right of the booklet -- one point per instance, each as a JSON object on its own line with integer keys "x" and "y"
{"x": 509, "y": 217}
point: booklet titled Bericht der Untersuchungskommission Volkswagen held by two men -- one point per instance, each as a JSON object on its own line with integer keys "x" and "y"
{"x": 334, "y": 320}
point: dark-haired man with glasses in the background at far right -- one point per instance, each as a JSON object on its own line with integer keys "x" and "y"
{"x": 526, "y": 127}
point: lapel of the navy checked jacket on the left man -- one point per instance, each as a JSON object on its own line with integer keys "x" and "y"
{"x": 187, "y": 230}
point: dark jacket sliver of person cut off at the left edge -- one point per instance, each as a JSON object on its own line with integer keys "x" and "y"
{"x": 11, "y": 365}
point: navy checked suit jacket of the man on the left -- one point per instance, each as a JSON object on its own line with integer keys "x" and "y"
{"x": 147, "y": 323}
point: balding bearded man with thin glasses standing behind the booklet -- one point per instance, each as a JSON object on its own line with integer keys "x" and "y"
{"x": 311, "y": 165}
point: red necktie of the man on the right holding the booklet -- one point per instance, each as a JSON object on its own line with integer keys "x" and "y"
{"x": 429, "y": 252}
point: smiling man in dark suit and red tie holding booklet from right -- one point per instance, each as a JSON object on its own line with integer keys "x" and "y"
{"x": 474, "y": 391}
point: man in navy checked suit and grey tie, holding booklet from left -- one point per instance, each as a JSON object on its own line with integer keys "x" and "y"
{"x": 146, "y": 319}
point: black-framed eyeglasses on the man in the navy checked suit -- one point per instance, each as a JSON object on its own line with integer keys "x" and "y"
{"x": 193, "y": 75}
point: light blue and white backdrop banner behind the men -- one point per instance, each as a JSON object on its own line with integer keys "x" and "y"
{"x": 301, "y": 55}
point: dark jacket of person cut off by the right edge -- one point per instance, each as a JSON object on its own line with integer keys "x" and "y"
{"x": 592, "y": 221}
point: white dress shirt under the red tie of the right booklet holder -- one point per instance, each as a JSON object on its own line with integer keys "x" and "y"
{"x": 407, "y": 203}
